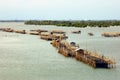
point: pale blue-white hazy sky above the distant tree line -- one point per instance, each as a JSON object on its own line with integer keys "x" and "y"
{"x": 59, "y": 9}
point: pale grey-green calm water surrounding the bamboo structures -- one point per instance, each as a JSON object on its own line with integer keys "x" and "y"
{"x": 27, "y": 57}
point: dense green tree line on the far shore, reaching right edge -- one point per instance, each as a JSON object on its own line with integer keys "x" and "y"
{"x": 91, "y": 23}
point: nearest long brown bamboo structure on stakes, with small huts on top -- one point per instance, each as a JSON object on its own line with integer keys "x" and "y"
{"x": 85, "y": 56}
